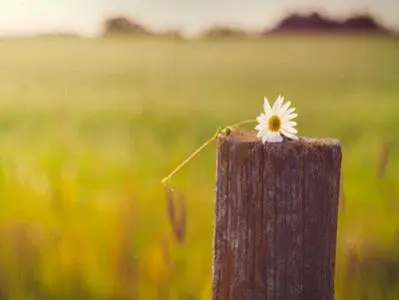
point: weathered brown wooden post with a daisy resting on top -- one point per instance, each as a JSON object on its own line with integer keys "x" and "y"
{"x": 276, "y": 218}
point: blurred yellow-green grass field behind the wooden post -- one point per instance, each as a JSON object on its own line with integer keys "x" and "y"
{"x": 88, "y": 127}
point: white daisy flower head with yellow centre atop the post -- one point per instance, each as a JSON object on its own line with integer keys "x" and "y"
{"x": 276, "y": 122}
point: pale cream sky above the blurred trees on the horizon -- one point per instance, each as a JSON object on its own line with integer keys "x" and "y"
{"x": 85, "y": 16}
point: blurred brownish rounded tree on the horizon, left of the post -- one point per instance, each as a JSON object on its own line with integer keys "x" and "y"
{"x": 122, "y": 25}
